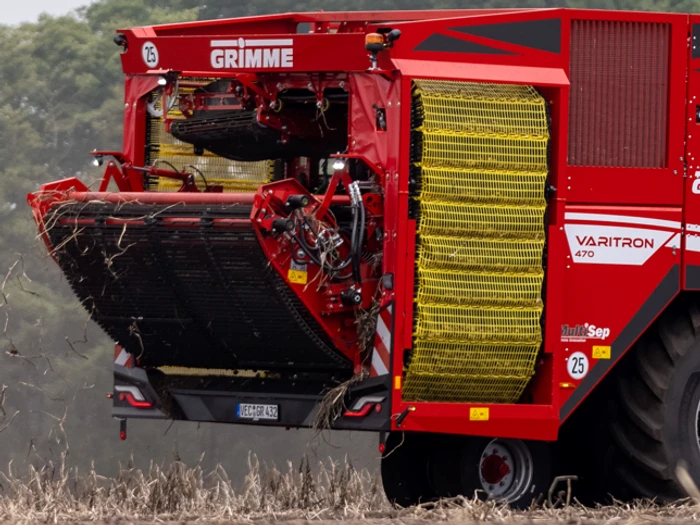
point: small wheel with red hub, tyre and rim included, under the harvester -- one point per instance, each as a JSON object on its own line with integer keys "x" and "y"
{"x": 509, "y": 470}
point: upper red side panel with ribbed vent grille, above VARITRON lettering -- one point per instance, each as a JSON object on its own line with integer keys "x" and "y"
{"x": 626, "y": 121}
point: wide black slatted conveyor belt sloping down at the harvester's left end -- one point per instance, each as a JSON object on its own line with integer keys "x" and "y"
{"x": 186, "y": 293}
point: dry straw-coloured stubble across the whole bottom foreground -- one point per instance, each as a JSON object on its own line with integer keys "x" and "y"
{"x": 334, "y": 492}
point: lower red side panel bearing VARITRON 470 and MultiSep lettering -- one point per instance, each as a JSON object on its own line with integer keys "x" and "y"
{"x": 621, "y": 268}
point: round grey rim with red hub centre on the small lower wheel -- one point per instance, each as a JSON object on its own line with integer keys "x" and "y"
{"x": 505, "y": 469}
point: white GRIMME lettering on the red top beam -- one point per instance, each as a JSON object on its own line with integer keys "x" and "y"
{"x": 246, "y": 53}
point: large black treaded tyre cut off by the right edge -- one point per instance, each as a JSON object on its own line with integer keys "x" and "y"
{"x": 655, "y": 422}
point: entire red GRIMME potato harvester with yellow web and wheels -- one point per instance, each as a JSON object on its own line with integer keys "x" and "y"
{"x": 479, "y": 229}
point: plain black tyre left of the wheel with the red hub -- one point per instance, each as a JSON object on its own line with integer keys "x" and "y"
{"x": 404, "y": 469}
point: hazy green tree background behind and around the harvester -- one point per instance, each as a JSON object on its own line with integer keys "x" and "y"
{"x": 60, "y": 97}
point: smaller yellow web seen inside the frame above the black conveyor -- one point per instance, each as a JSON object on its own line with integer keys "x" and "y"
{"x": 234, "y": 176}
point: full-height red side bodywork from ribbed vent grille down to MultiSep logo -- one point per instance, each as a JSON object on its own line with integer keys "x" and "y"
{"x": 616, "y": 249}
